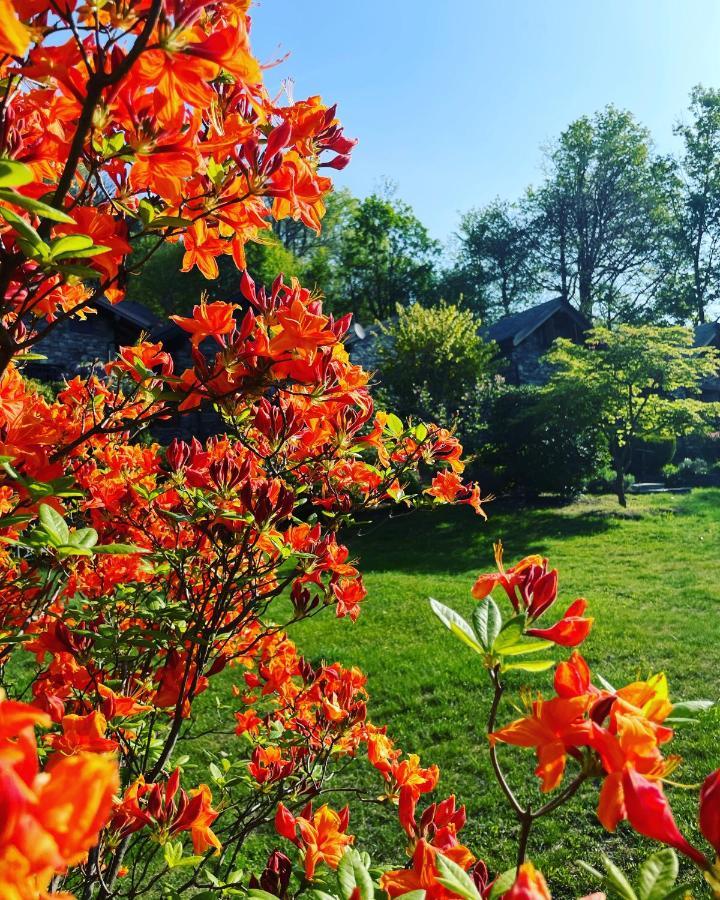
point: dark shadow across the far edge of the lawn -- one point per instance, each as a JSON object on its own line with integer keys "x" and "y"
{"x": 445, "y": 540}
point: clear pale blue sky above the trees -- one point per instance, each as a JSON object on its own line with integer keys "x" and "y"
{"x": 453, "y": 99}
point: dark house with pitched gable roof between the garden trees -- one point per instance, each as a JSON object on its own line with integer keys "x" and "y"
{"x": 524, "y": 337}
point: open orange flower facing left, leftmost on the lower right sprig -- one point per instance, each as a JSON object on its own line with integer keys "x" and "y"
{"x": 554, "y": 727}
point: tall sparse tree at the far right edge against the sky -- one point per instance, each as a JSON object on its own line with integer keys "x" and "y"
{"x": 695, "y": 282}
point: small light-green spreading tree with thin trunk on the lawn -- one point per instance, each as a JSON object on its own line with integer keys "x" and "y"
{"x": 639, "y": 381}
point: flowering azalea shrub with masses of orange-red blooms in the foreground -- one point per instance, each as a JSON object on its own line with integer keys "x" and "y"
{"x": 133, "y": 574}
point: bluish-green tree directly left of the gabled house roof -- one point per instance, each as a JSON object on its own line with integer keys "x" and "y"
{"x": 494, "y": 269}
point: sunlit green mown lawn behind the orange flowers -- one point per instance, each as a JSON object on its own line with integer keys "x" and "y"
{"x": 651, "y": 576}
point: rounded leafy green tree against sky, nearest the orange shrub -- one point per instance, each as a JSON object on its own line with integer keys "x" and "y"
{"x": 386, "y": 257}
